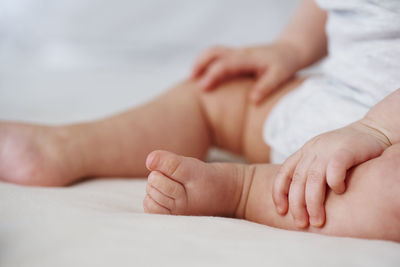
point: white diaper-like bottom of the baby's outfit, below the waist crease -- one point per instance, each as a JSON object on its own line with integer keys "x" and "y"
{"x": 319, "y": 105}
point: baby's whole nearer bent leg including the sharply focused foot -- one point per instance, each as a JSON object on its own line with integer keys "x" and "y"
{"x": 370, "y": 208}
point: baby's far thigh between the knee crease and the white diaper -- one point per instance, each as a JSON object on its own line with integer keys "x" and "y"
{"x": 236, "y": 125}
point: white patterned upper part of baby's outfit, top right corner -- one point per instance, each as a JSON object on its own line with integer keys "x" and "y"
{"x": 364, "y": 45}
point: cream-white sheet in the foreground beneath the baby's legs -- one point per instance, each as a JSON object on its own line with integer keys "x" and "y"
{"x": 101, "y": 223}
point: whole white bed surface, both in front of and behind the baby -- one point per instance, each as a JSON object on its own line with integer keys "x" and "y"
{"x": 69, "y": 61}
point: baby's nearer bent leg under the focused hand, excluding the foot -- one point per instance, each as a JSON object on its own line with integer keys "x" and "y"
{"x": 370, "y": 207}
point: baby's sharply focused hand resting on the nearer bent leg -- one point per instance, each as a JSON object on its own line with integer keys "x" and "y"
{"x": 301, "y": 181}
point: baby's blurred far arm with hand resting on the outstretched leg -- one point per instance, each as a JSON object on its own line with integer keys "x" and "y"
{"x": 302, "y": 43}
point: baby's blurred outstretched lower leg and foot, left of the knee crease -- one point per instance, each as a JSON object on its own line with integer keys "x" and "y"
{"x": 115, "y": 146}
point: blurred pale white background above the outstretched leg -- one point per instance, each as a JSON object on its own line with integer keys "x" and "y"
{"x": 72, "y": 60}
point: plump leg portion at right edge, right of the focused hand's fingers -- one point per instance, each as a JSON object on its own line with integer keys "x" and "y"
{"x": 370, "y": 208}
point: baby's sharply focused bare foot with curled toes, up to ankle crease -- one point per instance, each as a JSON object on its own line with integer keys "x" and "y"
{"x": 186, "y": 186}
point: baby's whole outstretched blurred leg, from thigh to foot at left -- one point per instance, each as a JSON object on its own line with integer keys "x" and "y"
{"x": 182, "y": 120}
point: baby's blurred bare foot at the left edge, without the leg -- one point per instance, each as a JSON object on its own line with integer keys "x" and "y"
{"x": 33, "y": 155}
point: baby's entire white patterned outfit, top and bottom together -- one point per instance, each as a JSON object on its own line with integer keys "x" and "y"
{"x": 362, "y": 68}
